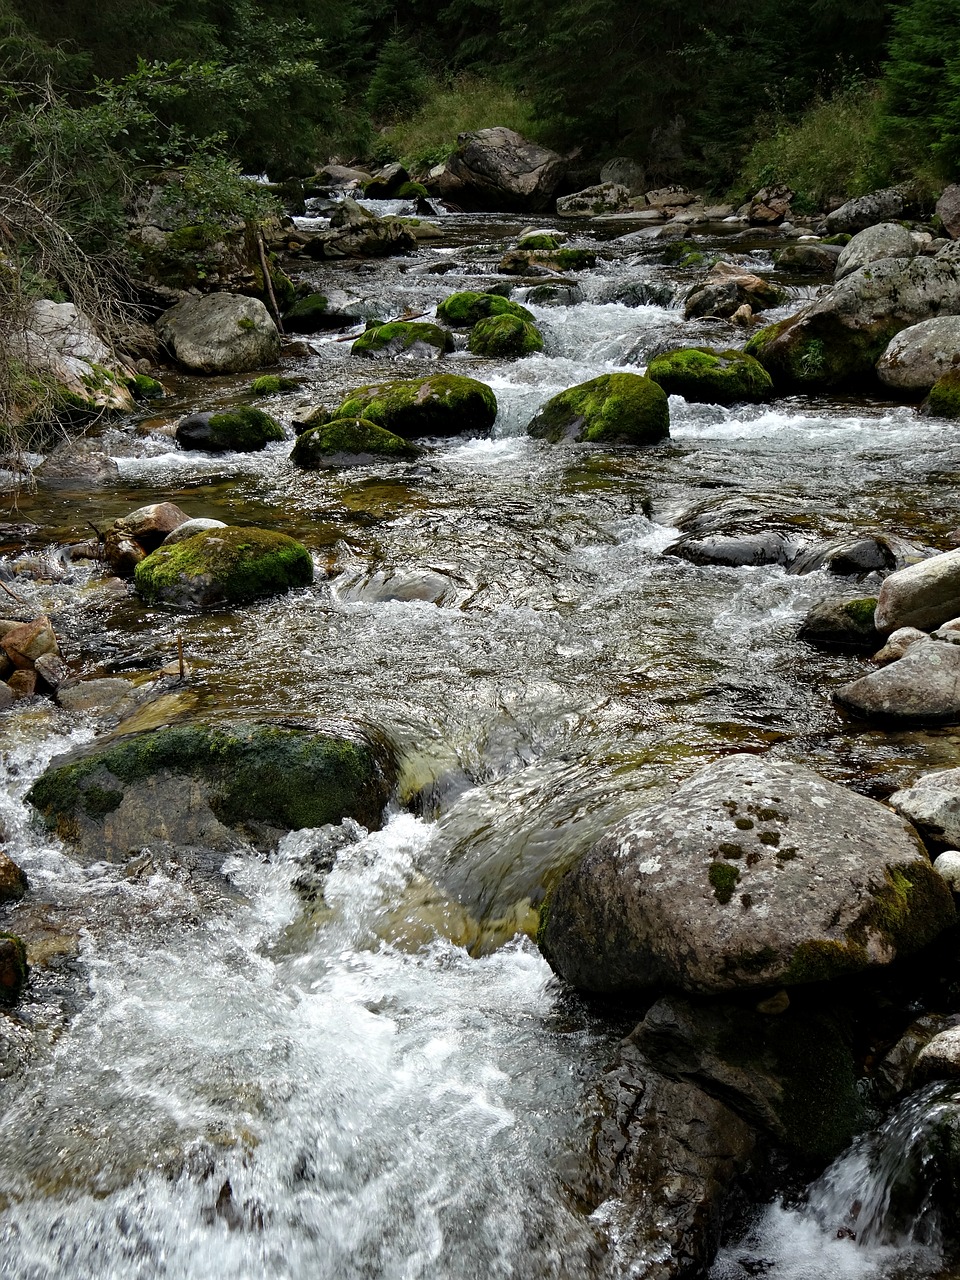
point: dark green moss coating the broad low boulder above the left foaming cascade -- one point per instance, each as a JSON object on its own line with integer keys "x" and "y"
{"x": 289, "y": 779}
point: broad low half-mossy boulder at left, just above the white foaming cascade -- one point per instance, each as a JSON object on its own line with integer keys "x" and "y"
{"x": 211, "y": 785}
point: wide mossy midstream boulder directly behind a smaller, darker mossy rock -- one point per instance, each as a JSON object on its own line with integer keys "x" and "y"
{"x": 445, "y": 405}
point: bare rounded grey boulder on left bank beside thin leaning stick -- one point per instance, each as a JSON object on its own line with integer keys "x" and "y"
{"x": 220, "y": 333}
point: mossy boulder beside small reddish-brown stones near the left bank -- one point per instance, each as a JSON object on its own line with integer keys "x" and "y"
{"x": 223, "y": 566}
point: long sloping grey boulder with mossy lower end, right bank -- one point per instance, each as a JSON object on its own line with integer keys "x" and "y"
{"x": 840, "y": 337}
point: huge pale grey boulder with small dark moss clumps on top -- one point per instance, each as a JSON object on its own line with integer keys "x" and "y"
{"x": 753, "y": 874}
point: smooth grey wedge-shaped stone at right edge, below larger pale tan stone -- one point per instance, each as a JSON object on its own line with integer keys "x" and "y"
{"x": 922, "y": 688}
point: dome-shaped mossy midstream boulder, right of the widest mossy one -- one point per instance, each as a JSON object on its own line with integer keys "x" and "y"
{"x": 614, "y": 409}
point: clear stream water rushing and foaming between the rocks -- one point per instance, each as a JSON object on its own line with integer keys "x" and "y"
{"x": 217, "y": 1075}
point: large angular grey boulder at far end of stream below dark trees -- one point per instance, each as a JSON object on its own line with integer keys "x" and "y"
{"x": 500, "y": 170}
